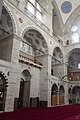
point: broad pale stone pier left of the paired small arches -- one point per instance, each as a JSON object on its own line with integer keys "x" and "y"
{"x": 45, "y": 90}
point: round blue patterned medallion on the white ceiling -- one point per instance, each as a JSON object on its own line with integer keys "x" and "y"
{"x": 66, "y": 7}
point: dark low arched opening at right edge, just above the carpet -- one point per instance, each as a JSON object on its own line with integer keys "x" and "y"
{"x": 76, "y": 94}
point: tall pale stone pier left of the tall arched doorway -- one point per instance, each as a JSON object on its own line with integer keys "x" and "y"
{"x": 12, "y": 90}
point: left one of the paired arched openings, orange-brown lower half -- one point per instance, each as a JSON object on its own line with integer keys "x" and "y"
{"x": 54, "y": 91}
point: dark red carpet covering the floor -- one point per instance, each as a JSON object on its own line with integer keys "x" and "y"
{"x": 67, "y": 112}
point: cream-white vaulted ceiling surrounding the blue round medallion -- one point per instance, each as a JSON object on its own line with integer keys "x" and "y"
{"x": 58, "y": 4}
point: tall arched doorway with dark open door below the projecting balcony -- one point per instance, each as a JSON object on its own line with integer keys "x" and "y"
{"x": 24, "y": 93}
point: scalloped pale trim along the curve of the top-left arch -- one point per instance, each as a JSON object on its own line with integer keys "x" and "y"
{"x": 12, "y": 17}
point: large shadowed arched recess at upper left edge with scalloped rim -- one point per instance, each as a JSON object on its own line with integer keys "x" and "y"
{"x": 6, "y": 33}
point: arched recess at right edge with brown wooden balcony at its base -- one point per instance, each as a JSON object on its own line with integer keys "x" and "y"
{"x": 73, "y": 64}
